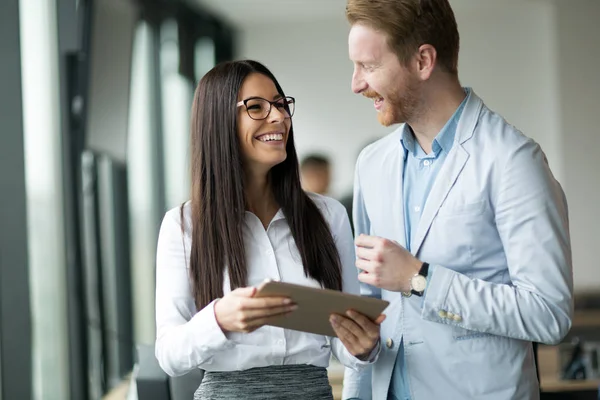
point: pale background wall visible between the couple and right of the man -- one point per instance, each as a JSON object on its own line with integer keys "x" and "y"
{"x": 509, "y": 55}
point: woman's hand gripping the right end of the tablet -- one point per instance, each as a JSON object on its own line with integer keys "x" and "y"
{"x": 357, "y": 332}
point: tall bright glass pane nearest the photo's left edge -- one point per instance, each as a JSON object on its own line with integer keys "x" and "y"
{"x": 43, "y": 154}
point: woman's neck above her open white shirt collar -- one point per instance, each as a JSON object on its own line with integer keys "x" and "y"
{"x": 259, "y": 197}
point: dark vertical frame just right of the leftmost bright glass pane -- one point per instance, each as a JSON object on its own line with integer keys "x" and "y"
{"x": 73, "y": 34}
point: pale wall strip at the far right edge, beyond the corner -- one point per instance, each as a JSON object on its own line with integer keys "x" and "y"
{"x": 579, "y": 61}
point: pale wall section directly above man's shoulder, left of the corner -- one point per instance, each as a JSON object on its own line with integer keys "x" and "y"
{"x": 508, "y": 55}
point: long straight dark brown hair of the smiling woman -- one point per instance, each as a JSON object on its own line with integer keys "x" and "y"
{"x": 217, "y": 195}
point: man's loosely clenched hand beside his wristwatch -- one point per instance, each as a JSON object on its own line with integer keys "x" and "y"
{"x": 385, "y": 264}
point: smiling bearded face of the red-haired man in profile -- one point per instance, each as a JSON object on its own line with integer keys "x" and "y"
{"x": 379, "y": 75}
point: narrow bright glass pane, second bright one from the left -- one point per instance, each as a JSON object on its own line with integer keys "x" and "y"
{"x": 143, "y": 183}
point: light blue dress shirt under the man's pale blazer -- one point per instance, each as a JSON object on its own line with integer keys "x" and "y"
{"x": 420, "y": 171}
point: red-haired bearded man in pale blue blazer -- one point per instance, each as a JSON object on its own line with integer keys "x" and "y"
{"x": 459, "y": 221}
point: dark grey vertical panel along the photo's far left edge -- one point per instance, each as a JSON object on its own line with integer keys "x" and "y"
{"x": 15, "y": 312}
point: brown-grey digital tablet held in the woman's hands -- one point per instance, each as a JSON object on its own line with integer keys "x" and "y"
{"x": 316, "y": 305}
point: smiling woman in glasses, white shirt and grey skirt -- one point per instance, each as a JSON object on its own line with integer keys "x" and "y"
{"x": 249, "y": 220}
